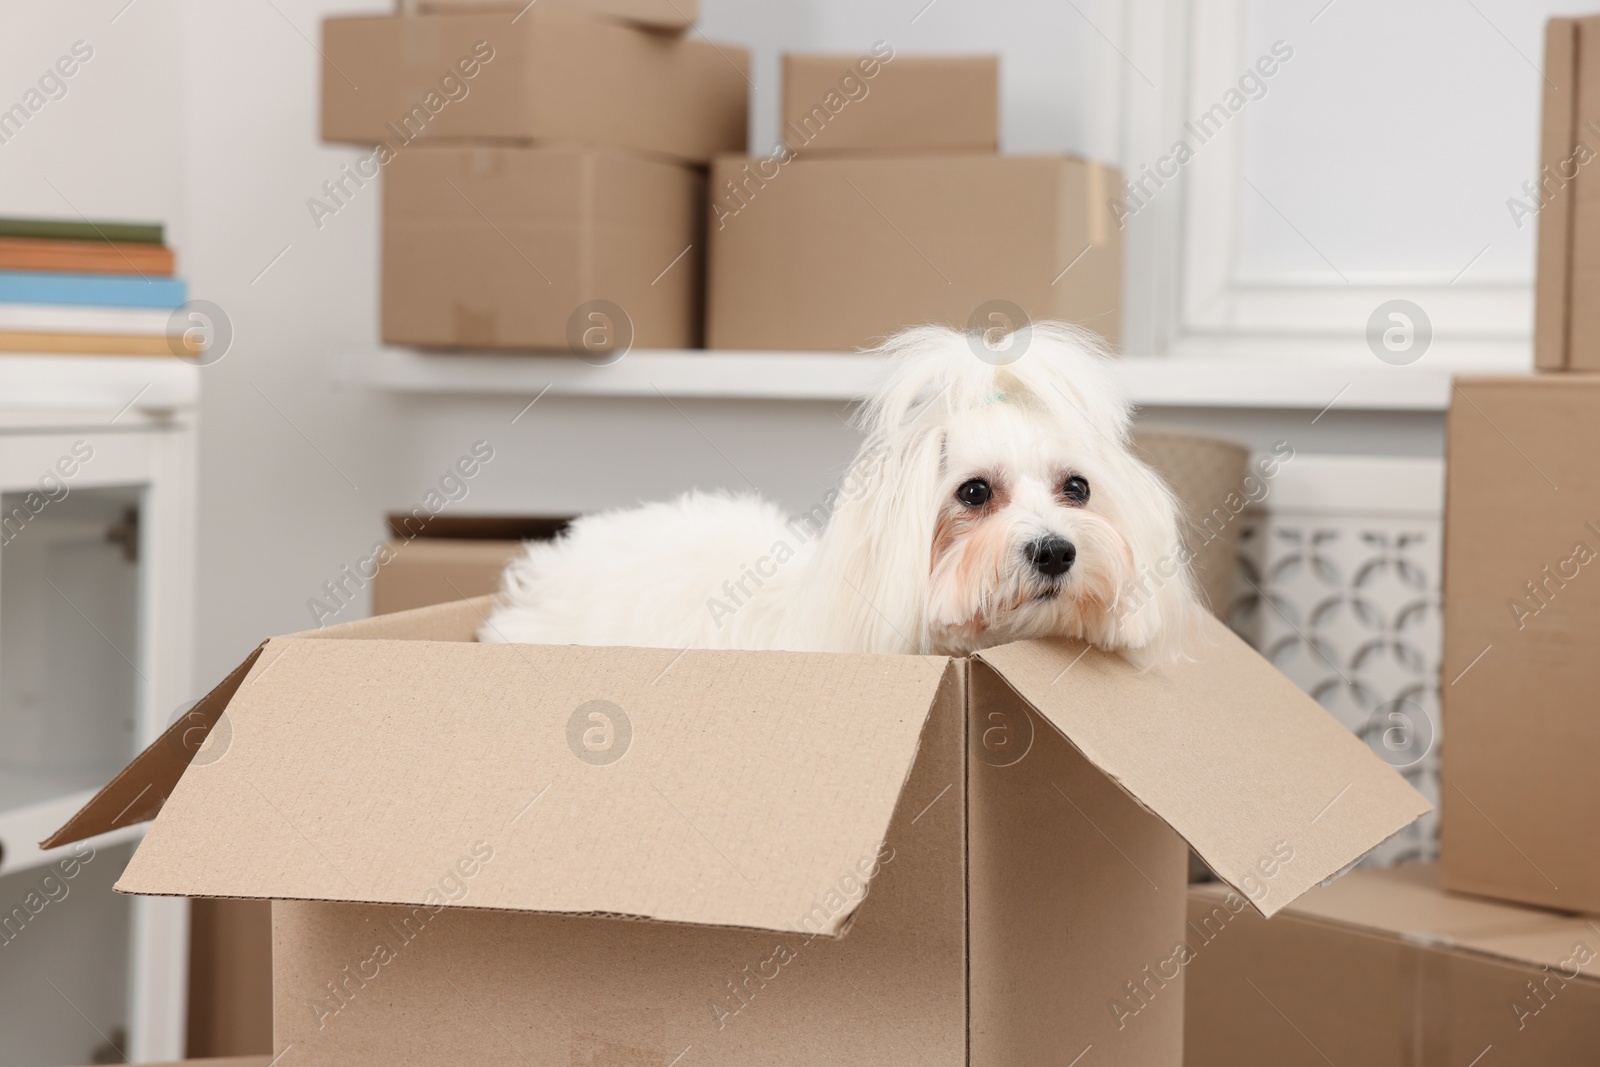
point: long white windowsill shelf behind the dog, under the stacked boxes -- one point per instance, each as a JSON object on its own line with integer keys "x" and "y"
{"x": 1246, "y": 382}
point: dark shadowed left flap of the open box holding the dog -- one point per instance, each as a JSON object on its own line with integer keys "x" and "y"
{"x": 142, "y": 788}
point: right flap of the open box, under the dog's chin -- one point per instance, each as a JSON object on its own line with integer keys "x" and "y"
{"x": 1228, "y": 753}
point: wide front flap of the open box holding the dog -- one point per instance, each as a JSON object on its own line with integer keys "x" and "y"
{"x": 714, "y": 788}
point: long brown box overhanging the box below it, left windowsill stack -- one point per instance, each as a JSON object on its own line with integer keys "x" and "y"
{"x": 548, "y": 76}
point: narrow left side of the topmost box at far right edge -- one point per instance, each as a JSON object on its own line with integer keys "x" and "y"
{"x": 1553, "y": 289}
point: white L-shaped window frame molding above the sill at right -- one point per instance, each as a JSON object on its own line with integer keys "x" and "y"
{"x": 1183, "y": 289}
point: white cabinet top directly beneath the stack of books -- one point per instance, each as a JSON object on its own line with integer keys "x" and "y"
{"x": 97, "y": 388}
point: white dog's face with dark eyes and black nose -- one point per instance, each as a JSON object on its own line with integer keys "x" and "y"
{"x": 1028, "y": 541}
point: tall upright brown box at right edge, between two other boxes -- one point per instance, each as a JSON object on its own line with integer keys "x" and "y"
{"x": 1521, "y": 815}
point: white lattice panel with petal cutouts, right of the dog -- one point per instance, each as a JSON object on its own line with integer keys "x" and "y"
{"x": 1340, "y": 588}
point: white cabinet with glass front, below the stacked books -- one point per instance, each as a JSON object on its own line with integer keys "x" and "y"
{"x": 97, "y": 605}
